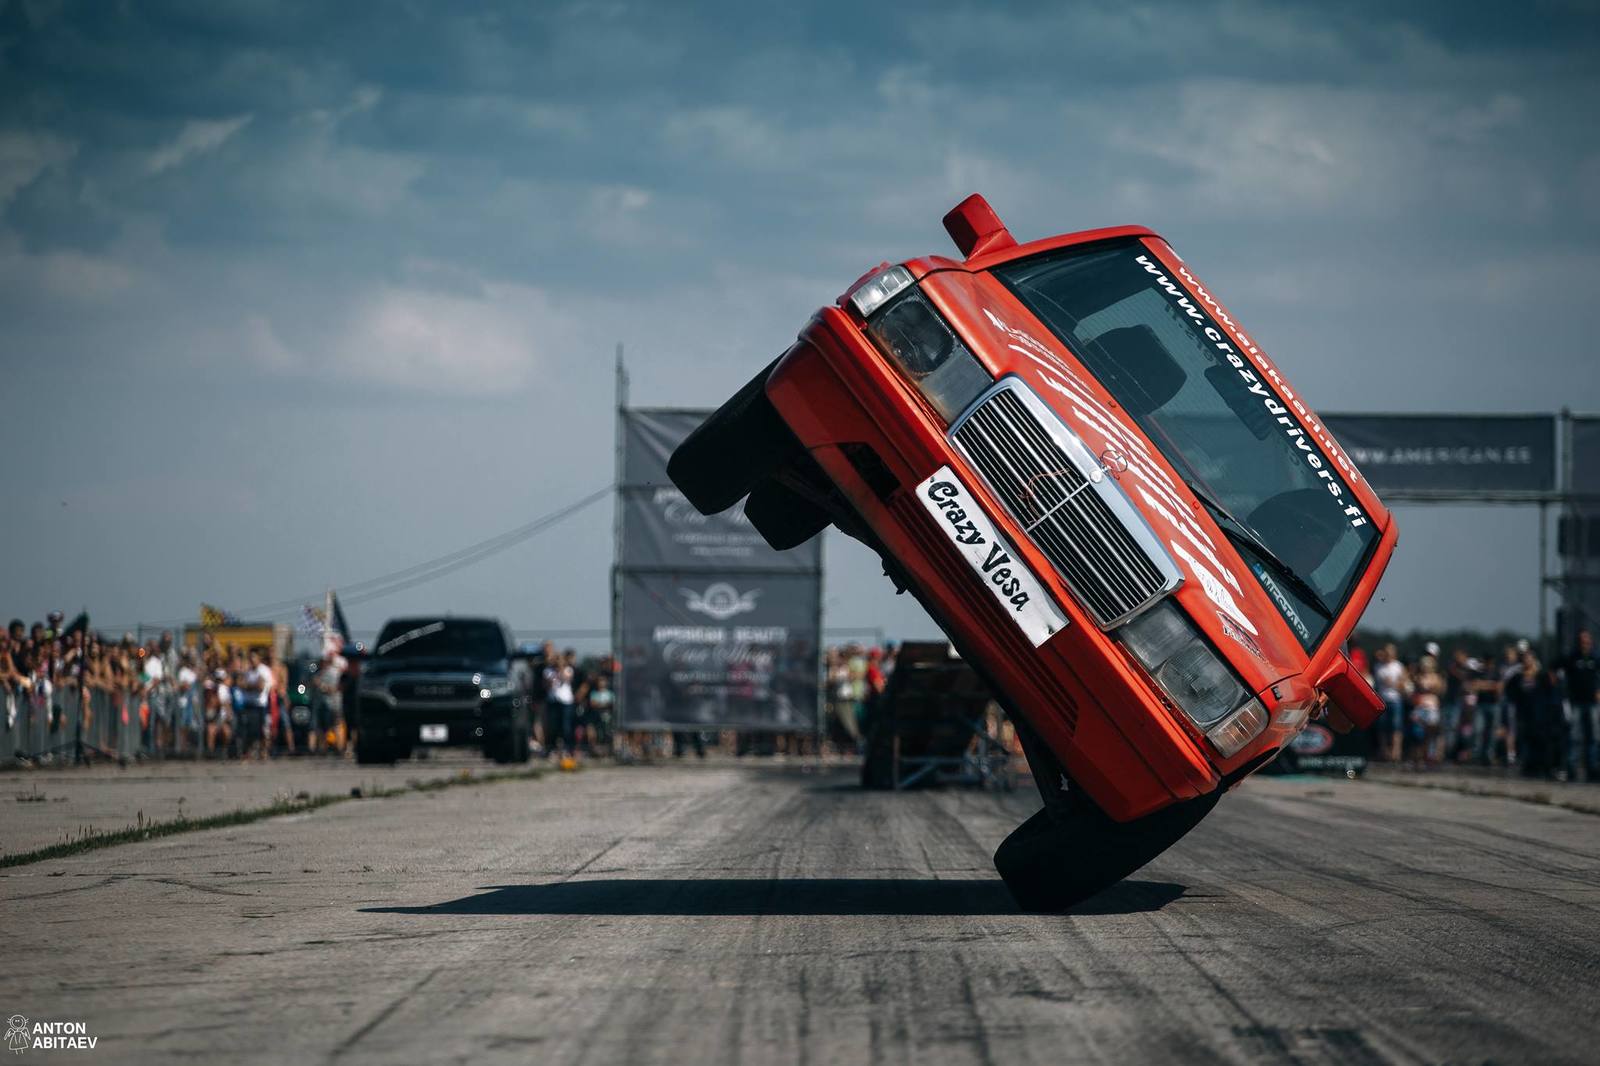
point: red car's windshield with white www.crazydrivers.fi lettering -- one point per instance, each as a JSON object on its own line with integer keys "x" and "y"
{"x": 1159, "y": 351}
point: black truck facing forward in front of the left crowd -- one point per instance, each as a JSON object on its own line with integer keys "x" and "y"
{"x": 438, "y": 683}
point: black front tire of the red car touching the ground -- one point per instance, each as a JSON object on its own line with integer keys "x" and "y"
{"x": 1057, "y": 860}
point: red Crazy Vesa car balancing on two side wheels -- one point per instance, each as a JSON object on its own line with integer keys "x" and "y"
{"x": 1113, "y": 502}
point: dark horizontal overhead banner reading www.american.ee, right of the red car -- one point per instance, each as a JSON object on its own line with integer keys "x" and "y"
{"x": 1462, "y": 454}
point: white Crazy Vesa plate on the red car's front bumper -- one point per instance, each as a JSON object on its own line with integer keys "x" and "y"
{"x": 1014, "y": 587}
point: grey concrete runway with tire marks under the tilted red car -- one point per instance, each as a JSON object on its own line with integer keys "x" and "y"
{"x": 740, "y": 915}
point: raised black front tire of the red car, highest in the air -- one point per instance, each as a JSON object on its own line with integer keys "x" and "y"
{"x": 730, "y": 452}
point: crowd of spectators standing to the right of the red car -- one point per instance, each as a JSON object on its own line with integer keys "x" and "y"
{"x": 1474, "y": 707}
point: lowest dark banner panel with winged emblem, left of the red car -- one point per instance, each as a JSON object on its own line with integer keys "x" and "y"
{"x": 706, "y": 651}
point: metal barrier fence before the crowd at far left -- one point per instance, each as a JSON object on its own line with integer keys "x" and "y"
{"x": 57, "y": 724}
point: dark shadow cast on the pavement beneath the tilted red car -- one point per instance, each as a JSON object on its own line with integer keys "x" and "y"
{"x": 722, "y": 897}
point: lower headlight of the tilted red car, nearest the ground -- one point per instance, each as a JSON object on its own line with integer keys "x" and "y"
{"x": 1196, "y": 678}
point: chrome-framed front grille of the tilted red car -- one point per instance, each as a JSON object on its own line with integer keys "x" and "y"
{"x": 1071, "y": 519}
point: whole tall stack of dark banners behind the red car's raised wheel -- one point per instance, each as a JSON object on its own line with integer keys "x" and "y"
{"x": 714, "y": 630}
